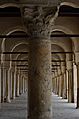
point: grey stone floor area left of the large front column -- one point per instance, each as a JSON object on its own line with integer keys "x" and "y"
{"x": 14, "y": 110}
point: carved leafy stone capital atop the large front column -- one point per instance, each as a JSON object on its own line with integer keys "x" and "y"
{"x": 37, "y": 20}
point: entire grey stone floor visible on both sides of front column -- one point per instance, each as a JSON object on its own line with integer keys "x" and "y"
{"x": 17, "y": 109}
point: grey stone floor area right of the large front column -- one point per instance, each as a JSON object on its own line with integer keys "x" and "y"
{"x": 64, "y": 110}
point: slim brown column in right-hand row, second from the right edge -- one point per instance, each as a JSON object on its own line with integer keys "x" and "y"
{"x": 70, "y": 82}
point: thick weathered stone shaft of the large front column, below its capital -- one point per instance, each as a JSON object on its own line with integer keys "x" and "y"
{"x": 40, "y": 81}
